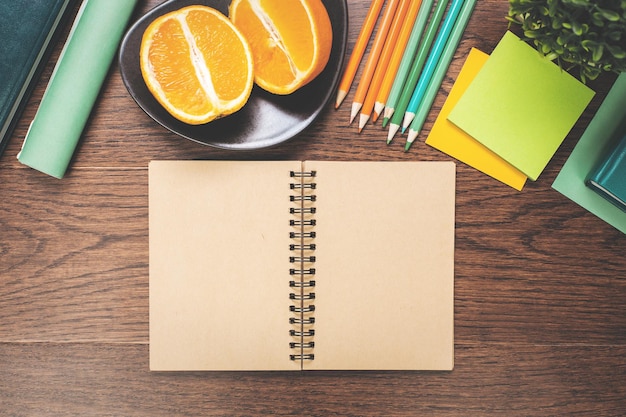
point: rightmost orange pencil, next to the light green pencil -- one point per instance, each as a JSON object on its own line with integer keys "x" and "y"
{"x": 396, "y": 59}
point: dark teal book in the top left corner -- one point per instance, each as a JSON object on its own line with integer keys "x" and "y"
{"x": 27, "y": 30}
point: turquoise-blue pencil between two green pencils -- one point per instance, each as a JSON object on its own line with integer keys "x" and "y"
{"x": 431, "y": 62}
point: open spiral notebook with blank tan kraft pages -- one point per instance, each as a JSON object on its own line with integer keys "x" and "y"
{"x": 289, "y": 265}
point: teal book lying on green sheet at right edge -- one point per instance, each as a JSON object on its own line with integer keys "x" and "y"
{"x": 609, "y": 176}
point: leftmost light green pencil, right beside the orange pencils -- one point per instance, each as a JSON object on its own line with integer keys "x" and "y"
{"x": 407, "y": 59}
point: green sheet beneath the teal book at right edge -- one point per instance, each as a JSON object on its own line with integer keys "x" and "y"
{"x": 590, "y": 148}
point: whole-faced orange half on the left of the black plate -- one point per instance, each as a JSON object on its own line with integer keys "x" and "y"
{"x": 197, "y": 64}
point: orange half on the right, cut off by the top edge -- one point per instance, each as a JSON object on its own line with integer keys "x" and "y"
{"x": 291, "y": 40}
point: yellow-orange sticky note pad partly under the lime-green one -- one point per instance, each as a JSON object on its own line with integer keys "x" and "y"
{"x": 448, "y": 138}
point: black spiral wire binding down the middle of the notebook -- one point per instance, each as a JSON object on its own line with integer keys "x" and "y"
{"x": 303, "y": 260}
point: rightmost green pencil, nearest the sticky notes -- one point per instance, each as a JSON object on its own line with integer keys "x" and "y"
{"x": 440, "y": 72}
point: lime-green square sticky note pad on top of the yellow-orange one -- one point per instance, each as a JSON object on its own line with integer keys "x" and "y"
{"x": 521, "y": 105}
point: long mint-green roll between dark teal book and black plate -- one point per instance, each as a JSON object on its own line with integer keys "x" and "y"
{"x": 75, "y": 85}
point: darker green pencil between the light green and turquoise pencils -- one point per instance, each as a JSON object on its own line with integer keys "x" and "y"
{"x": 416, "y": 69}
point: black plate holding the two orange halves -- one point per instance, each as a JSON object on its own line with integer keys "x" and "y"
{"x": 266, "y": 119}
